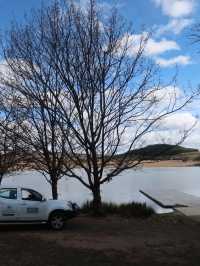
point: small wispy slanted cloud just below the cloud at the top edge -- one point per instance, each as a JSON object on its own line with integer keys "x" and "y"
{"x": 175, "y": 26}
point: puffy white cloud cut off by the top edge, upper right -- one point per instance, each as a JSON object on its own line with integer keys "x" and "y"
{"x": 176, "y": 8}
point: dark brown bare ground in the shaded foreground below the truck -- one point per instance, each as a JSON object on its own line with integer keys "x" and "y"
{"x": 159, "y": 240}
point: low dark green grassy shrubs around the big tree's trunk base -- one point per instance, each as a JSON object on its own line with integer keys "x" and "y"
{"x": 134, "y": 209}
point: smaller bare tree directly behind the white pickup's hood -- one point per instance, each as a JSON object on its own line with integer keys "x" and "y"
{"x": 43, "y": 141}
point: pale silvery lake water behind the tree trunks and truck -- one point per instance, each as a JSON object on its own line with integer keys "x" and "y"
{"x": 124, "y": 188}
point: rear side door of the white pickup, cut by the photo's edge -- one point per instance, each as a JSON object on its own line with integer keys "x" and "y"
{"x": 8, "y": 204}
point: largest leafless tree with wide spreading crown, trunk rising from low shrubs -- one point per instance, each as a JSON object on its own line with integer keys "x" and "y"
{"x": 89, "y": 72}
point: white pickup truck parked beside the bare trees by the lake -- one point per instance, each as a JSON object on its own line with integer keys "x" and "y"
{"x": 24, "y": 205}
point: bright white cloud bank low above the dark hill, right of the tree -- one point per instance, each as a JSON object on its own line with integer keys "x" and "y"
{"x": 171, "y": 128}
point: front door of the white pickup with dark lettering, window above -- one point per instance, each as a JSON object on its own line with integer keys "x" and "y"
{"x": 32, "y": 206}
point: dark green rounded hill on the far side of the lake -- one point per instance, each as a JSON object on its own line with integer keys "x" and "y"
{"x": 160, "y": 152}
